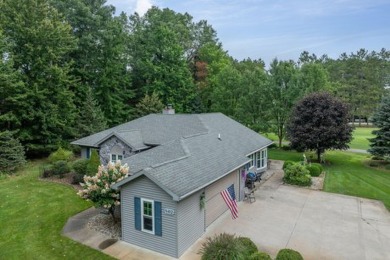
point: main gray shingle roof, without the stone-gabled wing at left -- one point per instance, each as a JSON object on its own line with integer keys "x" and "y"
{"x": 192, "y": 155}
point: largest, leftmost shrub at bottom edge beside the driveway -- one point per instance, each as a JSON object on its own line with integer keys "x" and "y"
{"x": 222, "y": 246}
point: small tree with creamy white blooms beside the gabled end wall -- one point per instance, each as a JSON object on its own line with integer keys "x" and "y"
{"x": 98, "y": 188}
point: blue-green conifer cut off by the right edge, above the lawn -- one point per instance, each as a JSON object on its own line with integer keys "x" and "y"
{"x": 380, "y": 145}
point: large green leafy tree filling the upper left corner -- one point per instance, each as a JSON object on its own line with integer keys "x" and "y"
{"x": 40, "y": 42}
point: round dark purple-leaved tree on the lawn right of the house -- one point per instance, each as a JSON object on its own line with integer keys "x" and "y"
{"x": 319, "y": 122}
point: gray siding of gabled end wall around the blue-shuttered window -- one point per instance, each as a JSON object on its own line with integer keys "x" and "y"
{"x": 142, "y": 187}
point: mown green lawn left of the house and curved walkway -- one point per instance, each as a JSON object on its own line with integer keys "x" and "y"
{"x": 32, "y": 215}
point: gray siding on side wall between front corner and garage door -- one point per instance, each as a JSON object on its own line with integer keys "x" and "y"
{"x": 190, "y": 221}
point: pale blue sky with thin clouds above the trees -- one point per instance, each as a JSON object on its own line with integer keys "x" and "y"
{"x": 274, "y": 28}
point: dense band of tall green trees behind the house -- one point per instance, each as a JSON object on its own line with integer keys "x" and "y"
{"x": 69, "y": 68}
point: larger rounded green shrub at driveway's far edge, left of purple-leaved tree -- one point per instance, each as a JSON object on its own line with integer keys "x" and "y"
{"x": 297, "y": 174}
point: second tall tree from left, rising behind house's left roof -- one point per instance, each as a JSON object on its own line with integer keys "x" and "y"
{"x": 101, "y": 56}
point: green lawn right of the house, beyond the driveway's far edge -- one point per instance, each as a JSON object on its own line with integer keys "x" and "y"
{"x": 347, "y": 174}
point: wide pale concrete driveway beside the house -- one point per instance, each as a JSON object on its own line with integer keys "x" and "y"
{"x": 319, "y": 225}
